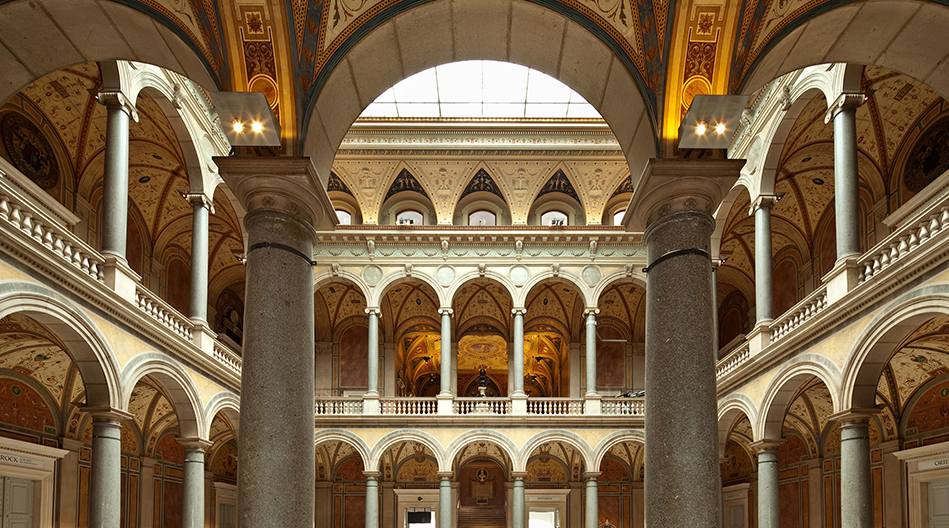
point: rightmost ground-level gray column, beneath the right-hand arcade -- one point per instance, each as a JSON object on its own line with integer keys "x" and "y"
{"x": 856, "y": 482}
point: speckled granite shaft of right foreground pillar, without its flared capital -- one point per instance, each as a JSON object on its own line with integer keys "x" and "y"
{"x": 682, "y": 474}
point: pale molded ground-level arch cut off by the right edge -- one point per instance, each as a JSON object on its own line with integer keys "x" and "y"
{"x": 872, "y": 350}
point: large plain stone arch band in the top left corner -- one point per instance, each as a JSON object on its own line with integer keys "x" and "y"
{"x": 63, "y": 34}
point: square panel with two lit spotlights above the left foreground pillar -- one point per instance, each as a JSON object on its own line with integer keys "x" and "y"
{"x": 247, "y": 111}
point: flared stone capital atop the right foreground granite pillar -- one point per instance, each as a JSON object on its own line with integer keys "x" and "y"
{"x": 673, "y": 185}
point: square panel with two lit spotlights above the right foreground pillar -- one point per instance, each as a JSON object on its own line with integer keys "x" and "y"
{"x": 718, "y": 109}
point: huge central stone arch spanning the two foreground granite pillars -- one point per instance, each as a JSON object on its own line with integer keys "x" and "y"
{"x": 531, "y": 35}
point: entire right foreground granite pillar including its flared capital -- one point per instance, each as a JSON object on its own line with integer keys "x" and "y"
{"x": 674, "y": 203}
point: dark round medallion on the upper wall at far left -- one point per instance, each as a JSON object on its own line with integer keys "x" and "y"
{"x": 30, "y": 151}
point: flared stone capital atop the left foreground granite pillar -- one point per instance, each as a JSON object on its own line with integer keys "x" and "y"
{"x": 286, "y": 184}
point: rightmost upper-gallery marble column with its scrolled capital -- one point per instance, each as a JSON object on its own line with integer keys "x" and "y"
{"x": 846, "y": 176}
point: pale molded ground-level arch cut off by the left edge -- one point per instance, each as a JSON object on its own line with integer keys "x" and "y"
{"x": 81, "y": 338}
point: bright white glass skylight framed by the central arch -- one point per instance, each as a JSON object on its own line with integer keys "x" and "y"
{"x": 480, "y": 89}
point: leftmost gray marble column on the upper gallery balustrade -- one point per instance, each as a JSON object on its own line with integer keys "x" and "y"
{"x": 115, "y": 182}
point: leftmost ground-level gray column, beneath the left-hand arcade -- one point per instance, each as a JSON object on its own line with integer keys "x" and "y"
{"x": 105, "y": 480}
